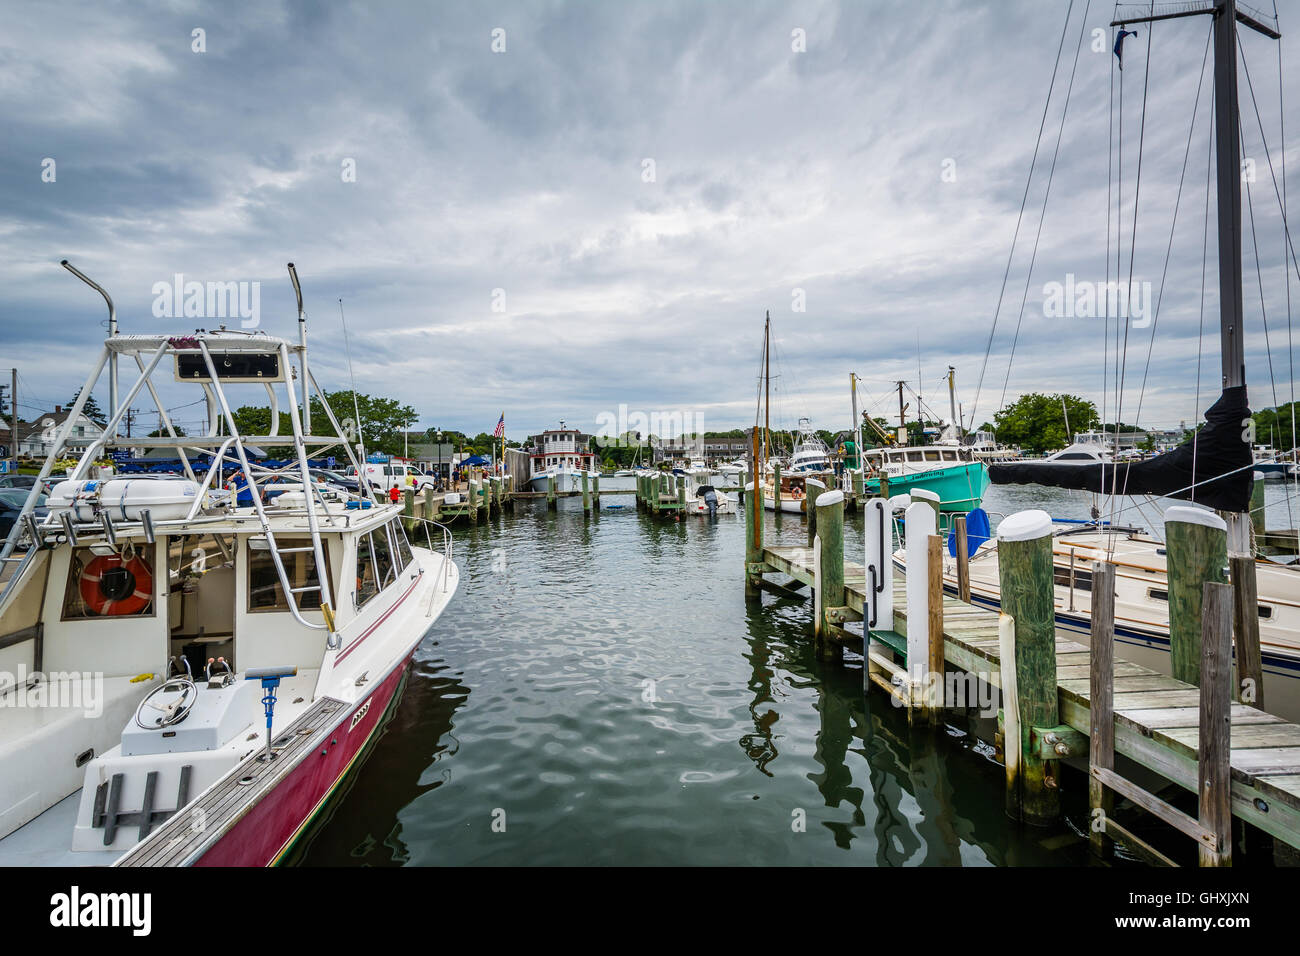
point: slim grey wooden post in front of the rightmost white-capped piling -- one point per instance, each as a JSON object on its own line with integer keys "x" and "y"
{"x": 1214, "y": 769}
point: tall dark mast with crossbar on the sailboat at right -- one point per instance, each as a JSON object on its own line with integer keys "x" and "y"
{"x": 1228, "y": 161}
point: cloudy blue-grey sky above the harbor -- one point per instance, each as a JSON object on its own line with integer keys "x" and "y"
{"x": 557, "y": 209}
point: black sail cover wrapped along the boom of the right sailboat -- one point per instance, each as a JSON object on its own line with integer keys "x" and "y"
{"x": 1221, "y": 455}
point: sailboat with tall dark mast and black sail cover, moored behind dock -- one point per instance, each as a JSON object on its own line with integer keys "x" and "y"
{"x": 1215, "y": 470}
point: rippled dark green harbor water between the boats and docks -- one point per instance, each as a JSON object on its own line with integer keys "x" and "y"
{"x": 600, "y": 693}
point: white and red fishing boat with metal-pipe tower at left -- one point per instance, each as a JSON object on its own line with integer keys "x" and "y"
{"x": 189, "y": 667}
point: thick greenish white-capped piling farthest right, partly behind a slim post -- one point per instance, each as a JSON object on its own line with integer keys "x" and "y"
{"x": 1197, "y": 552}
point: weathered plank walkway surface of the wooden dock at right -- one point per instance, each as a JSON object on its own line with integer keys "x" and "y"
{"x": 1156, "y": 716}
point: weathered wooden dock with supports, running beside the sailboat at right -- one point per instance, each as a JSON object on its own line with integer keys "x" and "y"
{"x": 1156, "y": 719}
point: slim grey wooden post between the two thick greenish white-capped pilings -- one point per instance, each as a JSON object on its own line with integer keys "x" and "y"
{"x": 1102, "y": 734}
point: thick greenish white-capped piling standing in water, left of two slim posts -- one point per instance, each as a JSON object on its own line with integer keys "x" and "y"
{"x": 1026, "y": 583}
